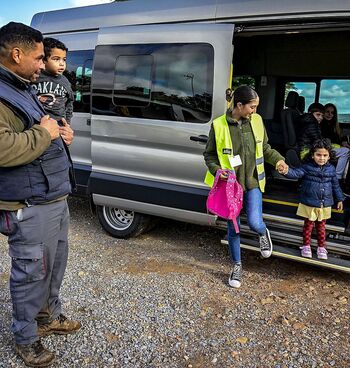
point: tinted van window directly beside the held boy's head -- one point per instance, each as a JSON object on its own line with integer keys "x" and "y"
{"x": 78, "y": 72}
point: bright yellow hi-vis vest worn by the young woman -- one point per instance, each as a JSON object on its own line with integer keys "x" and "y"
{"x": 224, "y": 143}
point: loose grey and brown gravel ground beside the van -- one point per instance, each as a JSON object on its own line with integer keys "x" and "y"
{"x": 162, "y": 300}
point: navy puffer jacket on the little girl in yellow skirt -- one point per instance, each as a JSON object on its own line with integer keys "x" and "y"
{"x": 319, "y": 186}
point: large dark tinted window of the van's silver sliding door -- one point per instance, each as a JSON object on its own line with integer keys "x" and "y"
{"x": 154, "y": 81}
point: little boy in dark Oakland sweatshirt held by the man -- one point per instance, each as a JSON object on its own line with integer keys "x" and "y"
{"x": 53, "y": 88}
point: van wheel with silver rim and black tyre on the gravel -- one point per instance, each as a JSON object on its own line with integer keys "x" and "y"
{"x": 122, "y": 223}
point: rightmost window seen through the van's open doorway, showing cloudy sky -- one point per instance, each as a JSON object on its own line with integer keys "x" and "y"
{"x": 337, "y": 91}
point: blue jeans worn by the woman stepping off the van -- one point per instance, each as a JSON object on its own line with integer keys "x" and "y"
{"x": 252, "y": 201}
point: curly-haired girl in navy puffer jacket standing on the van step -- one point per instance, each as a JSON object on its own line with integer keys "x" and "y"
{"x": 319, "y": 188}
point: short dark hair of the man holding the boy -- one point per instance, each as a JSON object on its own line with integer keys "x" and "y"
{"x": 18, "y": 34}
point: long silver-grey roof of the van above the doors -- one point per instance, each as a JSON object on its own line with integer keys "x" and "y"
{"x": 136, "y": 12}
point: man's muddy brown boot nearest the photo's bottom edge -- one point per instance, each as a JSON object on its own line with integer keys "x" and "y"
{"x": 35, "y": 355}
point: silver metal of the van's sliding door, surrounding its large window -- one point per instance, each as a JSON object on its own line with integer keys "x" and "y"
{"x": 150, "y": 149}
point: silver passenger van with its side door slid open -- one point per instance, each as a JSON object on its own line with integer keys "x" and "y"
{"x": 149, "y": 77}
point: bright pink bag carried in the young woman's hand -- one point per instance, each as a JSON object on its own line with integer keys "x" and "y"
{"x": 225, "y": 198}
